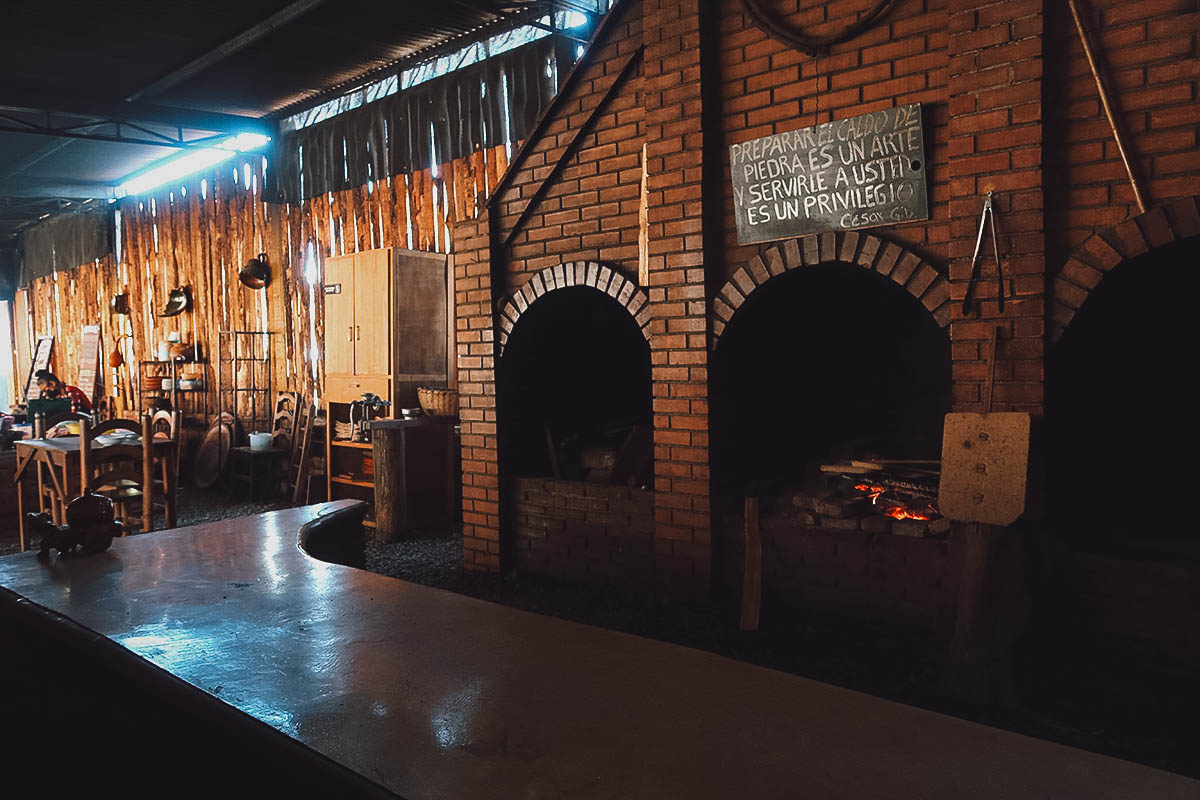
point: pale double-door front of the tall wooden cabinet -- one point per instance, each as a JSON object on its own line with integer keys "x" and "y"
{"x": 358, "y": 324}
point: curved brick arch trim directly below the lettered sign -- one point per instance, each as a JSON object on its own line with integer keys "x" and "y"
{"x": 922, "y": 281}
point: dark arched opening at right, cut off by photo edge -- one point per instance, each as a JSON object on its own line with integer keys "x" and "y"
{"x": 1121, "y": 406}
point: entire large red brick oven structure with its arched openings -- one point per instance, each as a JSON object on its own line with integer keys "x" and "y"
{"x": 614, "y": 233}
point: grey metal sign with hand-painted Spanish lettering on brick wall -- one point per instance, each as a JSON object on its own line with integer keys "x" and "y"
{"x": 861, "y": 172}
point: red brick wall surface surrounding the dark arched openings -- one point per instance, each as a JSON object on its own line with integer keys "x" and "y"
{"x": 1010, "y": 107}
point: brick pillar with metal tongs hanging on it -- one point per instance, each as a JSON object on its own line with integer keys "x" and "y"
{"x": 997, "y": 145}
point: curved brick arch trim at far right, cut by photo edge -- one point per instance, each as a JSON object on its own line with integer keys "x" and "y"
{"x": 1107, "y": 249}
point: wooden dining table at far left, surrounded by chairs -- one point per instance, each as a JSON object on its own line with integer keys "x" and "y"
{"x": 57, "y": 461}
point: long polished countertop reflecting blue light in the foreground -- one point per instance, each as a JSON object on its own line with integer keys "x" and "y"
{"x": 439, "y": 696}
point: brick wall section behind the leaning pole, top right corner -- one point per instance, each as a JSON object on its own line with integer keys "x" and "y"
{"x": 1148, "y": 53}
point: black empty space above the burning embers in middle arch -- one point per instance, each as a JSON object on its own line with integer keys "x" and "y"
{"x": 826, "y": 362}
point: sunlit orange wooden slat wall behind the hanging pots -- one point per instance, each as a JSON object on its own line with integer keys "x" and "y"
{"x": 200, "y": 236}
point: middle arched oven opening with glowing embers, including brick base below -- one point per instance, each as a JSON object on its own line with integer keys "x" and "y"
{"x": 830, "y": 388}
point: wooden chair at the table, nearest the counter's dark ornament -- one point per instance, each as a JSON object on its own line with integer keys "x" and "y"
{"x": 121, "y": 472}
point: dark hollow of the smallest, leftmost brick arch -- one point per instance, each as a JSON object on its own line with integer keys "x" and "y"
{"x": 575, "y": 376}
